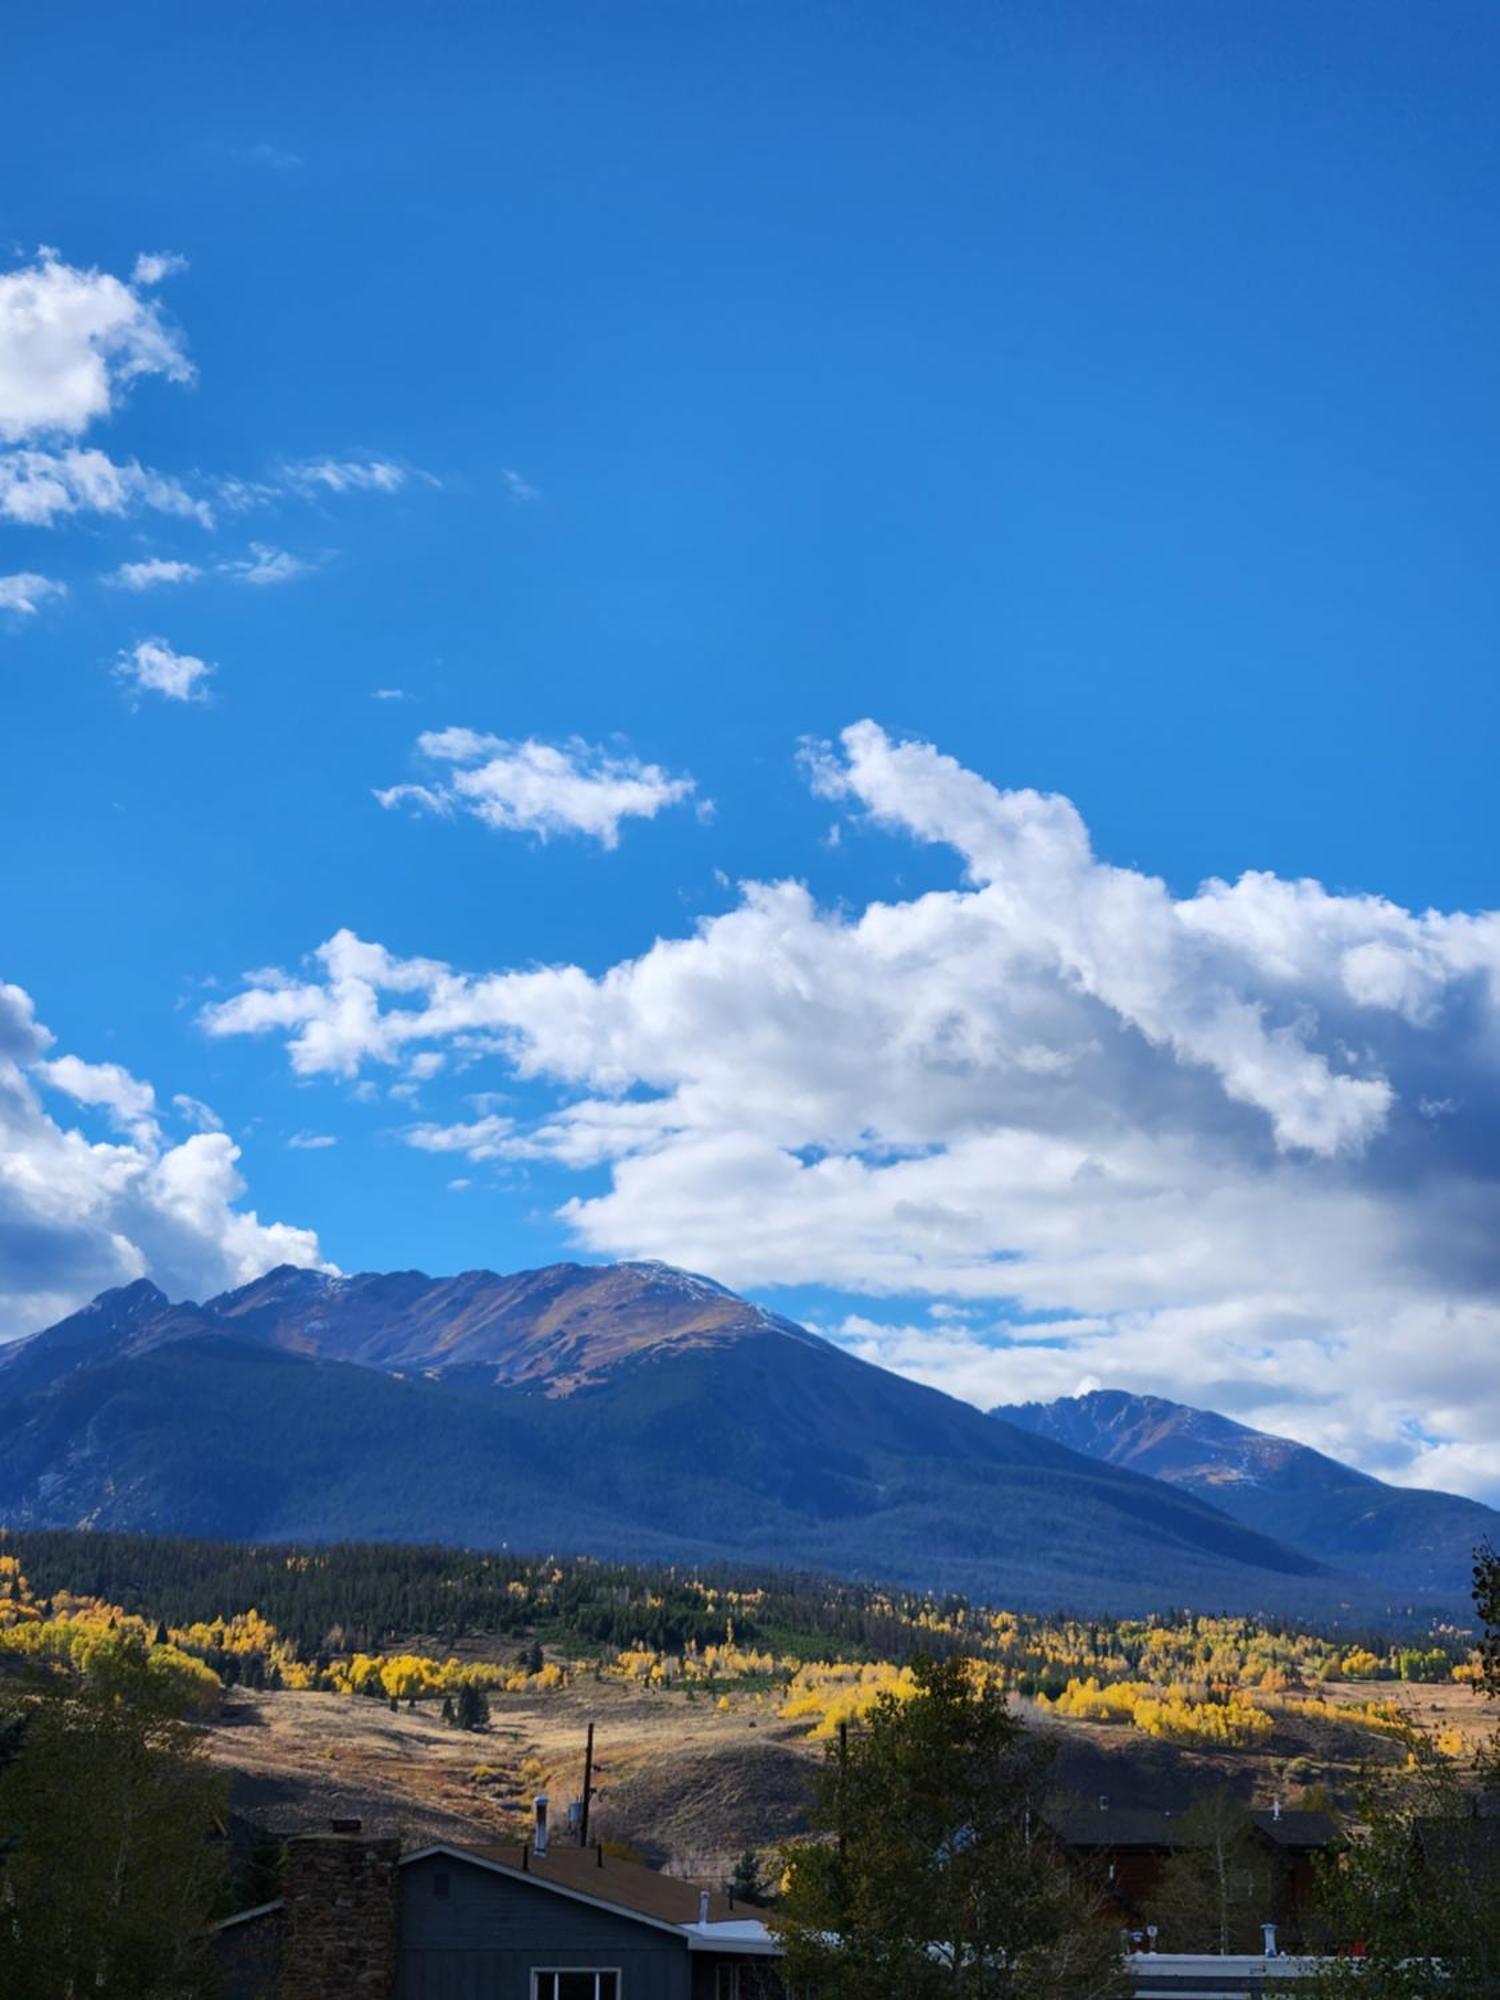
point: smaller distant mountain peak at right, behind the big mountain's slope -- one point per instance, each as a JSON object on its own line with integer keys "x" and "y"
{"x": 1401, "y": 1537}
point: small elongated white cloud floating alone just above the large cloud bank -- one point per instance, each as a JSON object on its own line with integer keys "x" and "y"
{"x": 535, "y": 787}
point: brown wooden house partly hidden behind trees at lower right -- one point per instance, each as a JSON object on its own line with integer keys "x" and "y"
{"x": 1125, "y": 1851}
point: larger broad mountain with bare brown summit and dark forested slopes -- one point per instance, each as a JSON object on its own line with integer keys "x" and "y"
{"x": 623, "y": 1411}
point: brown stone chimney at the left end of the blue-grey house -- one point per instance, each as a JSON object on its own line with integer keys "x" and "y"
{"x": 341, "y": 1917}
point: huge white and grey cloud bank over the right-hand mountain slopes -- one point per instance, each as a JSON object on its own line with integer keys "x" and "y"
{"x": 1175, "y": 1143}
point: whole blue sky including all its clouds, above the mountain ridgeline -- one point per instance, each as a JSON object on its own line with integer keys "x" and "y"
{"x": 1099, "y": 399}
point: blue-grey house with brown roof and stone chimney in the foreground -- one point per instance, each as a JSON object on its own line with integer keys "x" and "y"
{"x": 489, "y": 1923}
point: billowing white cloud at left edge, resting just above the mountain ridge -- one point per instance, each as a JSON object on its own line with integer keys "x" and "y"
{"x": 79, "y": 1215}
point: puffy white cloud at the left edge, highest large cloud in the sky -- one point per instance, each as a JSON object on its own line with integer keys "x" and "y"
{"x": 73, "y": 341}
